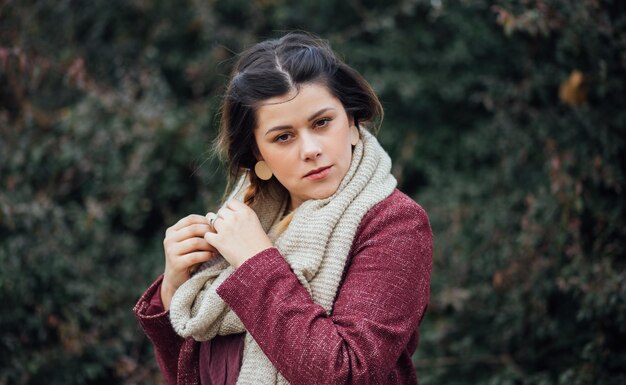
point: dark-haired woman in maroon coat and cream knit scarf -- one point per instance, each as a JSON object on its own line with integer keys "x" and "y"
{"x": 316, "y": 270}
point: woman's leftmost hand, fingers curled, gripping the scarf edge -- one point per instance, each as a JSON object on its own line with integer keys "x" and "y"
{"x": 184, "y": 247}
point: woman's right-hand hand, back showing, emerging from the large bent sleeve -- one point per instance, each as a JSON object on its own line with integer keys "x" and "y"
{"x": 238, "y": 233}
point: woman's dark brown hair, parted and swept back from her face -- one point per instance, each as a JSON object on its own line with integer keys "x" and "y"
{"x": 274, "y": 68}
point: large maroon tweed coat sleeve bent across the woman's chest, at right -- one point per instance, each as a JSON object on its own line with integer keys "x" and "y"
{"x": 376, "y": 314}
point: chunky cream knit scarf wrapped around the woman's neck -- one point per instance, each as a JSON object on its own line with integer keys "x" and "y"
{"x": 316, "y": 245}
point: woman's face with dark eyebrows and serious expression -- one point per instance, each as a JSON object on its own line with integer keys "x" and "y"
{"x": 305, "y": 141}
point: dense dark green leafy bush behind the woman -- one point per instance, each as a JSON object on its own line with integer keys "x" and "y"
{"x": 506, "y": 121}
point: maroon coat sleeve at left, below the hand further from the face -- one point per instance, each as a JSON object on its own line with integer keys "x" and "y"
{"x": 155, "y": 322}
